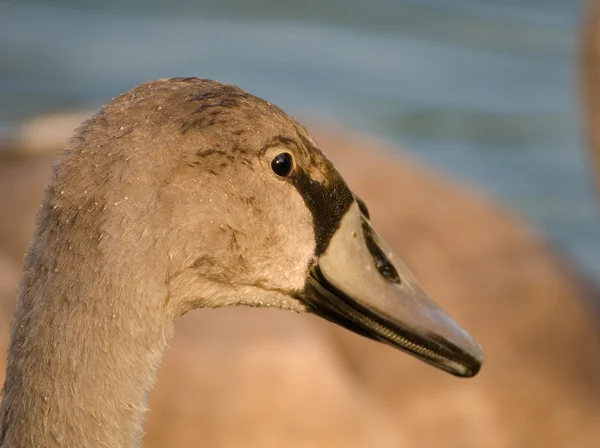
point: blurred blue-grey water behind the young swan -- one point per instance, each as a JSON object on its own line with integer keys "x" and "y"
{"x": 484, "y": 90}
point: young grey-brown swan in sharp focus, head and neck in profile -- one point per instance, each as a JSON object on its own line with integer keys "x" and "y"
{"x": 187, "y": 193}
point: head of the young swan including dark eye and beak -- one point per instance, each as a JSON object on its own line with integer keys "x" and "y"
{"x": 236, "y": 205}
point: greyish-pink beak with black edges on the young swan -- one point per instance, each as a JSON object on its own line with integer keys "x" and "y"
{"x": 362, "y": 285}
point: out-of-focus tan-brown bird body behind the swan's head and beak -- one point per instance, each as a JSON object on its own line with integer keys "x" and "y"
{"x": 263, "y": 378}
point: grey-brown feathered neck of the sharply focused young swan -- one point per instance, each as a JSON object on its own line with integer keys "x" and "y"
{"x": 87, "y": 338}
